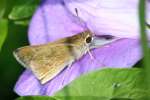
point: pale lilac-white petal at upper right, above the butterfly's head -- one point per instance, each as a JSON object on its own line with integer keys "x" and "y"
{"x": 111, "y": 17}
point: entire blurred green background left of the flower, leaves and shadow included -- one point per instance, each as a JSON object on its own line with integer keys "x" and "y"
{"x": 14, "y": 18}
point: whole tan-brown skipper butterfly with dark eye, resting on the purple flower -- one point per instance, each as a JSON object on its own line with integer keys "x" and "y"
{"x": 48, "y": 60}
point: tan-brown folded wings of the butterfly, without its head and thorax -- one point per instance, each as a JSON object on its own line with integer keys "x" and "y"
{"x": 45, "y": 61}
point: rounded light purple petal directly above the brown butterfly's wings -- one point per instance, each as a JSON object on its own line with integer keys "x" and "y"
{"x": 52, "y": 21}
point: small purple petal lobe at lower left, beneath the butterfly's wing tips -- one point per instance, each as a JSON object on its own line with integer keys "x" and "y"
{"x": 28, "y": 84}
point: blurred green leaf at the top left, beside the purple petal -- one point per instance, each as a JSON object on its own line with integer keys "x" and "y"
{"x": 23, "y": 9}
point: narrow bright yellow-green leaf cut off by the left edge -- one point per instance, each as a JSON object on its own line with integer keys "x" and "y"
{"x": 3, "y": 31}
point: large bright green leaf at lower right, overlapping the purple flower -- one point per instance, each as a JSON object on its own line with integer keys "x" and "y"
{"x": 110, "y": 83}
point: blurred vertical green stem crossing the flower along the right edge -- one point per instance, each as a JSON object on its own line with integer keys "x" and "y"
{"x": 144, "y": 41}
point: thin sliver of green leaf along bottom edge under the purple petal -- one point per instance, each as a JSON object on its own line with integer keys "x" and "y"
{"x": 36, "y": 98}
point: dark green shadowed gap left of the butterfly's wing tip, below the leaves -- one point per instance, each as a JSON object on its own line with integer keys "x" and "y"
{"x": 9, "y": 68}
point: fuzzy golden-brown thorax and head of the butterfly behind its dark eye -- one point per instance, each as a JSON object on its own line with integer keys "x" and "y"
{"x": 76, "y": 44}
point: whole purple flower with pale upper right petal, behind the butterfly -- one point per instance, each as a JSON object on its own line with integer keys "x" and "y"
{"x": 55, "y": 19}
